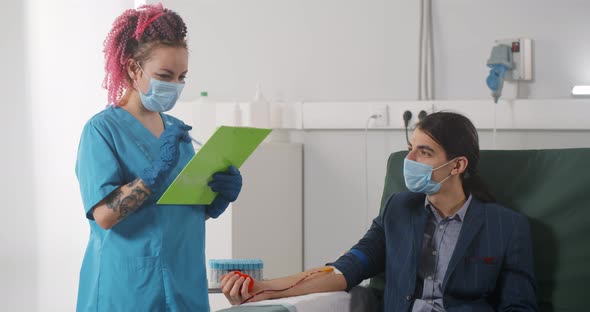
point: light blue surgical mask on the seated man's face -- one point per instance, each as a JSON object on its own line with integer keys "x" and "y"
{"x": 418, "y": 177}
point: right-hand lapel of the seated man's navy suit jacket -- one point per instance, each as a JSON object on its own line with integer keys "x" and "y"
{"x": 474, "y": 219}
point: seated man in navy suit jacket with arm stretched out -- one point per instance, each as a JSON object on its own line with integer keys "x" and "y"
{"x": 444, "y": 246}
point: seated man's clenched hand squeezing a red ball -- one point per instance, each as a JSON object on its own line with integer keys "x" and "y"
{"x": 235, "y": 288}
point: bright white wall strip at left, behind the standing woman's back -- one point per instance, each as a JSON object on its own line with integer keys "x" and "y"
{"x": 65, "y": 74}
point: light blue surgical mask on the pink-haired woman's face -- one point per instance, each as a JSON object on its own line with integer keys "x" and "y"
{"x": 161, "y": 96}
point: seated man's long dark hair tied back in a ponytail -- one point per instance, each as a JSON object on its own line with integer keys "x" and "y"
{"x": 458, "y": 137}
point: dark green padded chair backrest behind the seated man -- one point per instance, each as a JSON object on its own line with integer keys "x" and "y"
{"x": 552, "y": 188}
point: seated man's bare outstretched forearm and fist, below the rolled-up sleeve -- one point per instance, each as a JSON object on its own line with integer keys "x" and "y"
{"x": 321, "y": 279}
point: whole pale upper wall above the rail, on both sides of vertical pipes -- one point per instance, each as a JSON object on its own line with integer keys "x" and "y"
{"x": 309, "y": 50}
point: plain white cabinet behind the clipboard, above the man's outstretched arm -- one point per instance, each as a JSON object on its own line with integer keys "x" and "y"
{"x": 267, "y": 218}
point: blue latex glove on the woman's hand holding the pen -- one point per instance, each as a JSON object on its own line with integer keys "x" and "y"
{"x": 169, "y": 151}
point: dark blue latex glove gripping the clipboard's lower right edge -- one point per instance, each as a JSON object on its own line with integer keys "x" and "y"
{"x": 227, "y": 185}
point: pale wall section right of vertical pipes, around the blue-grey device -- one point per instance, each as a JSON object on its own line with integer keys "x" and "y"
{"x": 465, "y": 30}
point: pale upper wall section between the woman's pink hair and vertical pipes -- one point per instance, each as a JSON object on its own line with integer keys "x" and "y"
{"x": 303, "y": 50}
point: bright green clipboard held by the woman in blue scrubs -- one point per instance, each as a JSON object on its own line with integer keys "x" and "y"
{"x": 227, "y": 146}
